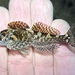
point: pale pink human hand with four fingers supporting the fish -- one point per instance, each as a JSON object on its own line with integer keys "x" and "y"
{"x": 58, "y": 62}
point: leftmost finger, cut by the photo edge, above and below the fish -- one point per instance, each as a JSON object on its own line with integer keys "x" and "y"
{"x": 4, "y": 18}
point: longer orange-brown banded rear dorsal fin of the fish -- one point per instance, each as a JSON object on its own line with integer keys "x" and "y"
{"x": 41, "y": 27}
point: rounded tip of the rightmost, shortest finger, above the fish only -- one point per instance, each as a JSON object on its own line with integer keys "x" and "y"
{"x": 61, "y": 25}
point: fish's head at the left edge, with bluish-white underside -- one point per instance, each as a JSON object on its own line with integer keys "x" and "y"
{"x": 6, "y": 36}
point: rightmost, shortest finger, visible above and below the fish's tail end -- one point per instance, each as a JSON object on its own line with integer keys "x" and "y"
{"x": 64, "y": 59}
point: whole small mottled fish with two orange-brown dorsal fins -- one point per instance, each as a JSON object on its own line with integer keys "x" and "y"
{"x": 19, "y": 36}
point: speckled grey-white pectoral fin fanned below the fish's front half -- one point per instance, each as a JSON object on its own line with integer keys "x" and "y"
{"x": 18, "y": 45}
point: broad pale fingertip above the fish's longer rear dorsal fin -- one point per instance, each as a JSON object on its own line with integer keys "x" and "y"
{"x": 42, "y": 11}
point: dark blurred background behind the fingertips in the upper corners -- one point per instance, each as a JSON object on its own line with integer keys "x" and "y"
{"x": 64, "y": 9}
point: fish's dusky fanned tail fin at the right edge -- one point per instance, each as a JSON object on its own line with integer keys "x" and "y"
{"x": 71, "y": 34}
